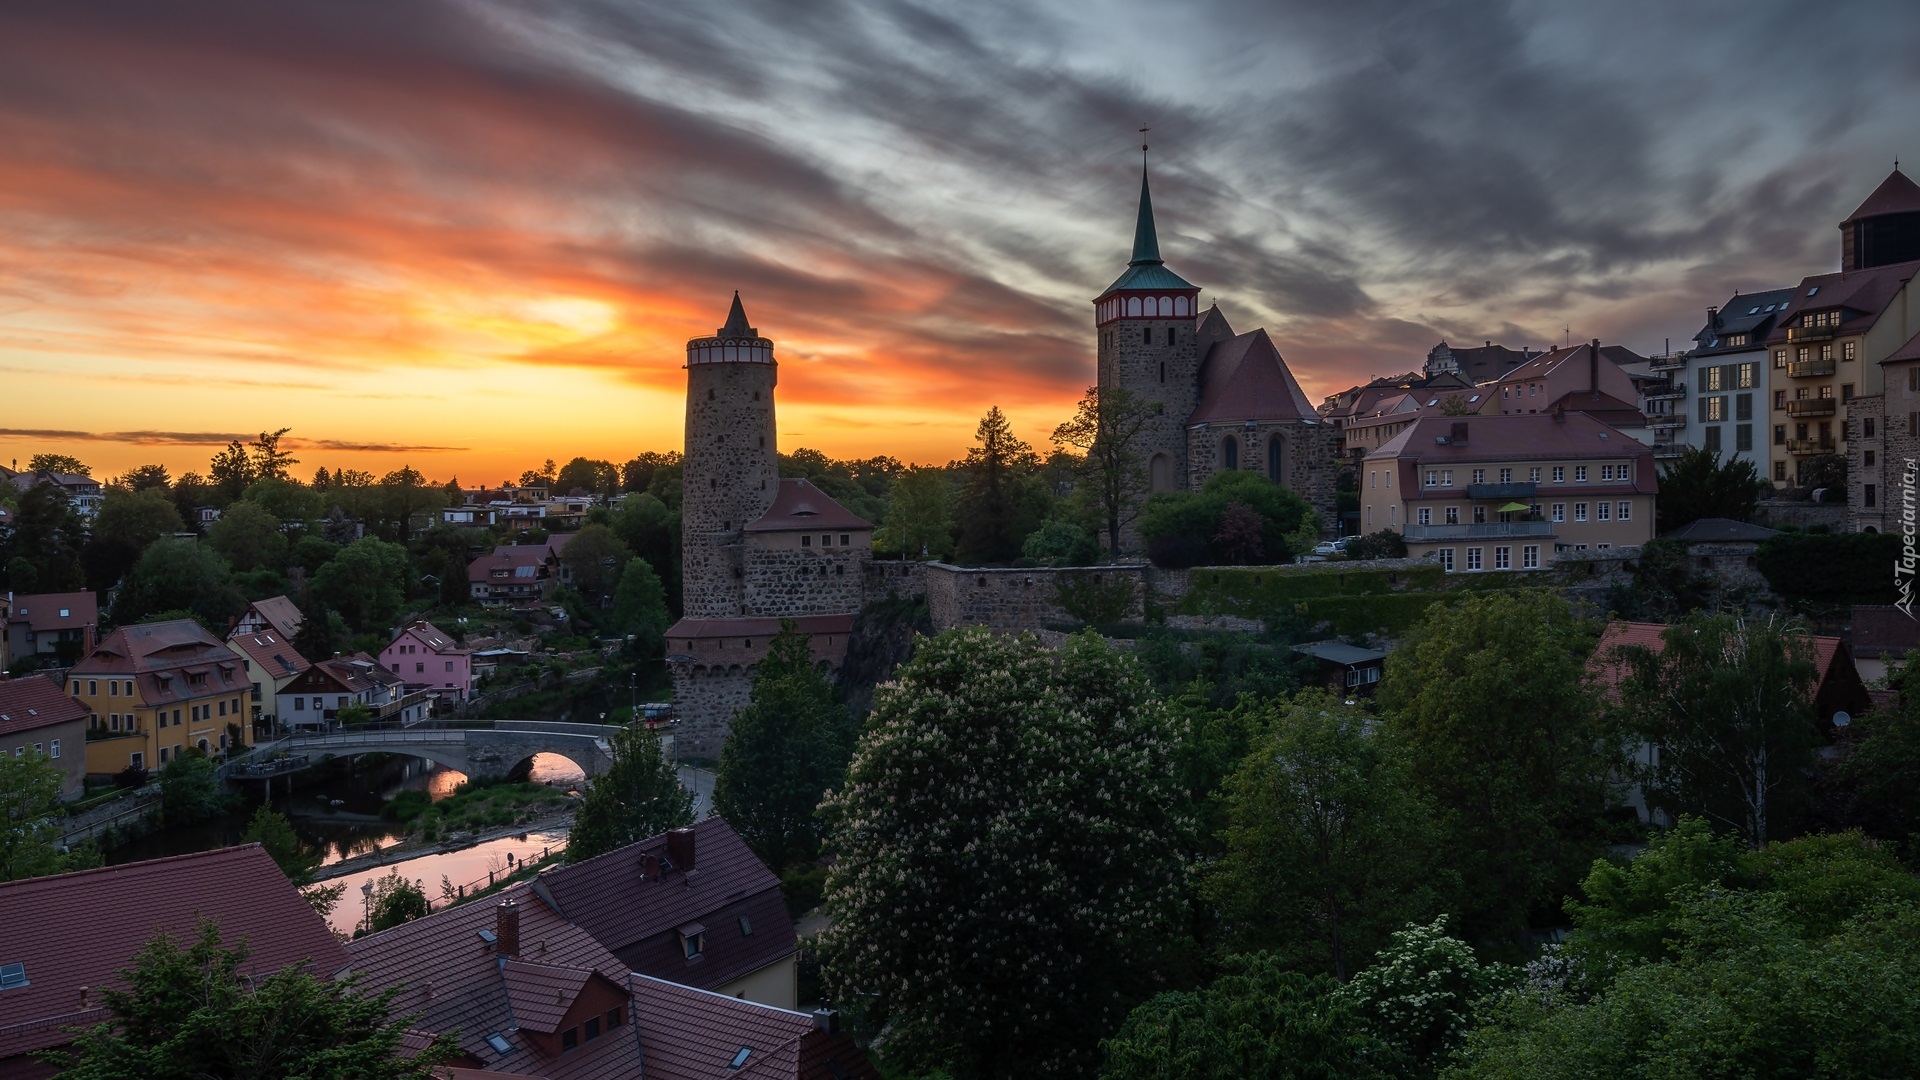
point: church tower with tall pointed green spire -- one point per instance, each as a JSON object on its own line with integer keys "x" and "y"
{"x": 1145, "y": 326}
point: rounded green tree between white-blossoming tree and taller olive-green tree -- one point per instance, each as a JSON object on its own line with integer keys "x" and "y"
{"x": 1326, "y": 843}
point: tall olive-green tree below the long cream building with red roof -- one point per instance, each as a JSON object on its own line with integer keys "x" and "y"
{"x": 1493, "y": 704}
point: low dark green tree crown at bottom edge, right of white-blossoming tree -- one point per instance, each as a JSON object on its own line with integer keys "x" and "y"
{"x": 1259, "y": 1019}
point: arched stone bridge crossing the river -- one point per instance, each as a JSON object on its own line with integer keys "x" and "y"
{"x": 481, "y": 752}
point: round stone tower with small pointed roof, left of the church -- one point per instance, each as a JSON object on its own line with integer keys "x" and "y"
{"x": 731, "y": 472}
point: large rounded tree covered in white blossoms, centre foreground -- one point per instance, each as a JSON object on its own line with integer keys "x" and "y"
{"x": 1009, "y": 856}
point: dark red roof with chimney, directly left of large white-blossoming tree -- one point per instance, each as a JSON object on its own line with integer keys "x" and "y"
{"x": 638, "y": 918}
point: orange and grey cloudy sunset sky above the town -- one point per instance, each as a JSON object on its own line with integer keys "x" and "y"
{"x": 475, "y": 235}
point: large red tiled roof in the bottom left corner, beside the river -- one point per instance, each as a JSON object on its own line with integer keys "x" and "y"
{"x": 80, "y": 929}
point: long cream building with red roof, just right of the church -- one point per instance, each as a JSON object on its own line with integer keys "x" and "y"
{"x": 1506, "y": 493}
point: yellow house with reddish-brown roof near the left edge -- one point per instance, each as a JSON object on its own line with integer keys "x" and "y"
{"x": 156, "y": 689}
